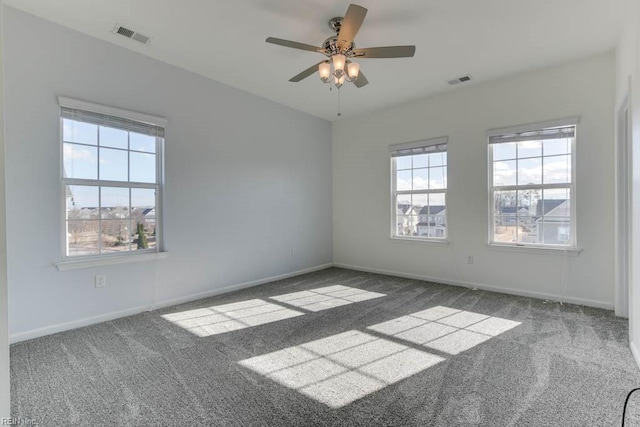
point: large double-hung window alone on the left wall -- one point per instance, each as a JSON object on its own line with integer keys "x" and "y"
{"x": 111, "y": 180}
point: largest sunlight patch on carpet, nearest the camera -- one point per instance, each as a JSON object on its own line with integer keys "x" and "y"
{"x": 342, "y": 368}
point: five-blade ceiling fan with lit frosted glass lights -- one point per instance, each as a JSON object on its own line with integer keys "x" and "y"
{"x": 341, "y": 50}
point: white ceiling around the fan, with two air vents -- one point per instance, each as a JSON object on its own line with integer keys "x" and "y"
{"x": 224, "y": 40}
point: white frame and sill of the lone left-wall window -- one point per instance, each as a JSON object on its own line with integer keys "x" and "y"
{"x": 85, "y": 261}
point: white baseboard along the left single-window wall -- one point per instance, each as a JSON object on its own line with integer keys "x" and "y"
{"x": 61, "y": 327}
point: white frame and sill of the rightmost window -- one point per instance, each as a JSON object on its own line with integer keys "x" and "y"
{"x": 572, "y": 247}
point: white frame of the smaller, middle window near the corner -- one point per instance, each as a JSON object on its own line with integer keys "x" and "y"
{"x": 417, "y": 147}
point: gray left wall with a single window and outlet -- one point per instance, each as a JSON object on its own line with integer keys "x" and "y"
{"x": 248, "y": 181}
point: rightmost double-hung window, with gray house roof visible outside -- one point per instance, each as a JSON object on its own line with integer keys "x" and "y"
{"x": 532, "y": 185}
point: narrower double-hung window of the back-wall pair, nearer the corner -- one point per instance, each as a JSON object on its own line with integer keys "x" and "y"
{"x": 419, "y": 189}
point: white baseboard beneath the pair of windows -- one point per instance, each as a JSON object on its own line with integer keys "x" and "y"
{"x": 484, "y": 287}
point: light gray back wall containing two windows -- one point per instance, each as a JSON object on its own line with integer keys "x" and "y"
{"x": 361, "y": 174}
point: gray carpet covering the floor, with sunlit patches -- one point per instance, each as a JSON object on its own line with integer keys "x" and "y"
{"x": 424, "y": 354}
